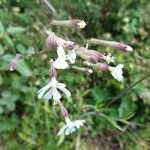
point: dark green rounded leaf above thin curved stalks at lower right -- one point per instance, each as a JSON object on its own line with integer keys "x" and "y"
{"x": 126, "y": 109}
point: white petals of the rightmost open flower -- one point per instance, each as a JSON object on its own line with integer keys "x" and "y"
{"x": 117, "y": 72}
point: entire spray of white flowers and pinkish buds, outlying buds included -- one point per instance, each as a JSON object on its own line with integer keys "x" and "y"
{"x": 67, "y": 52}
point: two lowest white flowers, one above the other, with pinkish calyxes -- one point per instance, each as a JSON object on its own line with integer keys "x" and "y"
{"x": 50, "y": 91}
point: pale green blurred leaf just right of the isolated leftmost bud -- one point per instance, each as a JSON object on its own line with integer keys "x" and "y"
{"x": 22, "y": 68}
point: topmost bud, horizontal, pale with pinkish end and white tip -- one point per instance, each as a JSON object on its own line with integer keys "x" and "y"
{"x": 74, "y": 23}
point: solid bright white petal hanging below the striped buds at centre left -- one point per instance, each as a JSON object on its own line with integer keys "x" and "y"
{"x": 60, "y": 62}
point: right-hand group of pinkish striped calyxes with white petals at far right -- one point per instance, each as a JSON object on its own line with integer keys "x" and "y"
{"x": 95, "y": 60}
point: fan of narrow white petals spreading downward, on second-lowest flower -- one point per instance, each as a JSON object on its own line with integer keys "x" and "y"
{"x": 50, "y": 90}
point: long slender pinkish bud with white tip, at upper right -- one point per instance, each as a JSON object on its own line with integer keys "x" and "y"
{"x": 112, "y": 44}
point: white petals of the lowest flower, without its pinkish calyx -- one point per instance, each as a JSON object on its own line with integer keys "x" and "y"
{"x": 70, "y": 126}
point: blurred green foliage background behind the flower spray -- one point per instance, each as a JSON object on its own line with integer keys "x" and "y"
{"x": 116, "y": 119}
